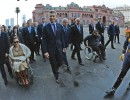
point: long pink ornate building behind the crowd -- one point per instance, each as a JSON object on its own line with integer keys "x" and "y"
{"x": 72, "y": 10}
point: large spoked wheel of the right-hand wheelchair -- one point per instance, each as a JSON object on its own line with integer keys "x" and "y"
{"x": 88, "y": 53}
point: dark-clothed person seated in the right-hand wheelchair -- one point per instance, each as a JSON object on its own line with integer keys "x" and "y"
{"x": 94, "y": 41}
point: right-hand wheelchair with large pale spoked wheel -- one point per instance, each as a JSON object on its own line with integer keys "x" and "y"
{"x": 90, "y": 54}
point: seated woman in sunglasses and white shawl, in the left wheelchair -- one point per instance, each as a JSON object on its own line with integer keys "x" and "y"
{"x": 19, "y": 53}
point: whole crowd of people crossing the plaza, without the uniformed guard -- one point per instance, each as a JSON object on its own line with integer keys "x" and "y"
{"x": 52, "y": 39}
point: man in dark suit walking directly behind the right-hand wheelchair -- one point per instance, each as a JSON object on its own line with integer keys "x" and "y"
{"x": 100, "y": 28}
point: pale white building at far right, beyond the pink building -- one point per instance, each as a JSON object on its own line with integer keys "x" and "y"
{"x": 125, "y": 10}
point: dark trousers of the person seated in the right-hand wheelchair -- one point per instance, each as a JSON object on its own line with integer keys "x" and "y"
{"x": 100, "y": 50}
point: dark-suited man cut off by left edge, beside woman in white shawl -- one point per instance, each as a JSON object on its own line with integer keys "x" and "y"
{"x": 4, "y": 51}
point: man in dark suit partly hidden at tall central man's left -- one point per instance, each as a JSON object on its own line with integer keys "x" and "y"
{"x": 39, "y": 32}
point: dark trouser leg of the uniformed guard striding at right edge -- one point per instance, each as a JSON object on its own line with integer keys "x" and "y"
{"x": 121, "y": 75}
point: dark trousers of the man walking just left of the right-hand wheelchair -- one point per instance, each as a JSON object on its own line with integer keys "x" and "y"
{"x": 77, "y": 50}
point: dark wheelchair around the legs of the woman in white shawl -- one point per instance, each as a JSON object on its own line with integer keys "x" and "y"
{"x": 29, "y": 75}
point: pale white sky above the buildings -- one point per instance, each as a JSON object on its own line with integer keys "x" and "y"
{"x": 7, "y": 7}
